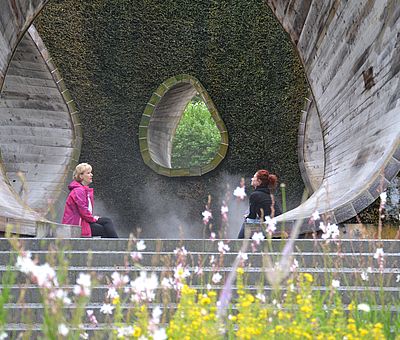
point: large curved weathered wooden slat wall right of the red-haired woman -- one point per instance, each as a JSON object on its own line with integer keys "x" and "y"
{"x": 337, "y": 42}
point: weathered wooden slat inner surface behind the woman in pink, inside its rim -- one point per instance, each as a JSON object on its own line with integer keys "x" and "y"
{"x": 36, "y": 143}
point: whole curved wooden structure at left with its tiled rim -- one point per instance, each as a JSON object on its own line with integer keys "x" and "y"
{"x": 40, "y": 134}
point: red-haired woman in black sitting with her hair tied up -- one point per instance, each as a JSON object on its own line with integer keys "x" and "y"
{"x": 262, "y": 202}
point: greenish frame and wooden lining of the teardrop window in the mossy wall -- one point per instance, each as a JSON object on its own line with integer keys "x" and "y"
{"x": 160, "y": 122}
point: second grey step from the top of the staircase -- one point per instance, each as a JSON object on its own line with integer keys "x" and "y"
{"x": 149, "y": 258}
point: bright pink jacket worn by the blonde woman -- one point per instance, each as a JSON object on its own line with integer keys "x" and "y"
{"x": 76, "y": 210}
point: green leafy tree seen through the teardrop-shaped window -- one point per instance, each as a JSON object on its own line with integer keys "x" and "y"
{"x": 197, "y": 137}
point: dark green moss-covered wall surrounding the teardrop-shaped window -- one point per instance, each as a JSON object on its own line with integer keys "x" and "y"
{"x": 114, "y": 53}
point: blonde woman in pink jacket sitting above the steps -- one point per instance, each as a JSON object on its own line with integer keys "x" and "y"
{"x": 79, "y": 206}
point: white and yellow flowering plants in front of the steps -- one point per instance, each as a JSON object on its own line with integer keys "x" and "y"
{"x": 138, "y": 304}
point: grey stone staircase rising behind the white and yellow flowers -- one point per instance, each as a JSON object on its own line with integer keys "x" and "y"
{"x": 344, "y": 260}
